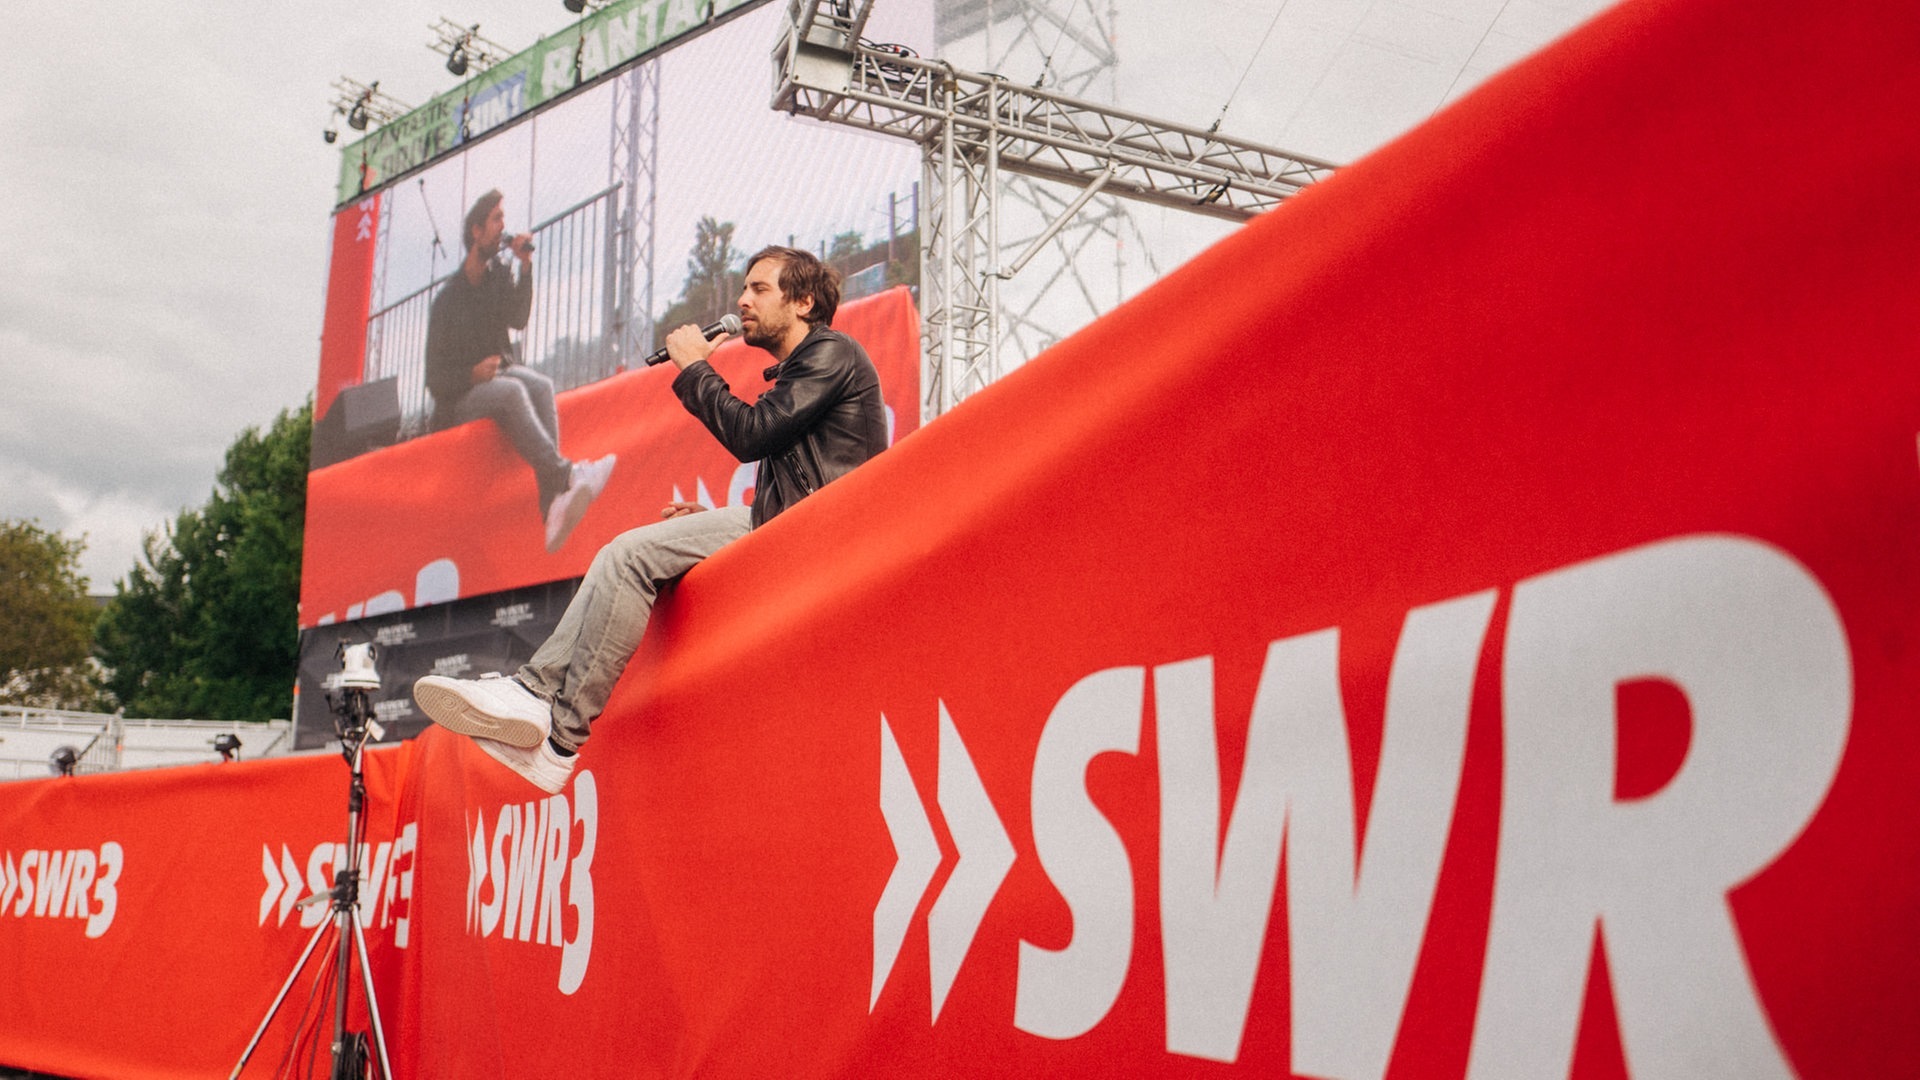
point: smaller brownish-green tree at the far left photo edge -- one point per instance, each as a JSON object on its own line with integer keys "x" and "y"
{"x": 45, "y": 620}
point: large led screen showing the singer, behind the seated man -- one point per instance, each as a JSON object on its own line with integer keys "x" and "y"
{"x": 642, "y": 197}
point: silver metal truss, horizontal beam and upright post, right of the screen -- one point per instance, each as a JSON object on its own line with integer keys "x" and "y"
{"x": 976, "y": 134}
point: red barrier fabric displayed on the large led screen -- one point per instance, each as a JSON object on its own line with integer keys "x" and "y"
{"x": 456, "y": 514}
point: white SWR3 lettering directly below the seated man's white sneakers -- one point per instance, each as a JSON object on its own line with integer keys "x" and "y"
{"x": 523, "y": 877}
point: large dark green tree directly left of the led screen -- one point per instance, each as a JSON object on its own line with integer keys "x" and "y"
{"x": 206, "y": 626}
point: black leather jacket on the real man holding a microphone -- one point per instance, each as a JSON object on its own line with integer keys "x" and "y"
{"x": 819, "y": 420}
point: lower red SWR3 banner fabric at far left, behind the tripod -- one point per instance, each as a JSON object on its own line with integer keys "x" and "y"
{"x": 149, "y": 920}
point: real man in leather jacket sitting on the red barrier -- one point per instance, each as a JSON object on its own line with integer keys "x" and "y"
{"x": 821, "y": 420}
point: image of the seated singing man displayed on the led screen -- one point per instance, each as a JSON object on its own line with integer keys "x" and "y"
{"x": 473, "y": 376}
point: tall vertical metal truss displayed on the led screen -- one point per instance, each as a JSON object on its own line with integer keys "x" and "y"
{"x": 636, "y": 147}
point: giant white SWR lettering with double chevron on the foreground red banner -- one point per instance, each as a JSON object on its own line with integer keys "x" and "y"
{"x": 1742, "y": 629}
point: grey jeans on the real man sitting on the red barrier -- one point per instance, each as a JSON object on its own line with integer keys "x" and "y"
{"x": 581, "y": 662}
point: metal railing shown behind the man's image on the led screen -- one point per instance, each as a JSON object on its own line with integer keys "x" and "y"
{"x": 567, "y": 335}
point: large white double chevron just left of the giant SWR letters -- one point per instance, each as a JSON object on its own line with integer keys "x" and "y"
{"x": 986, "y": 858}
